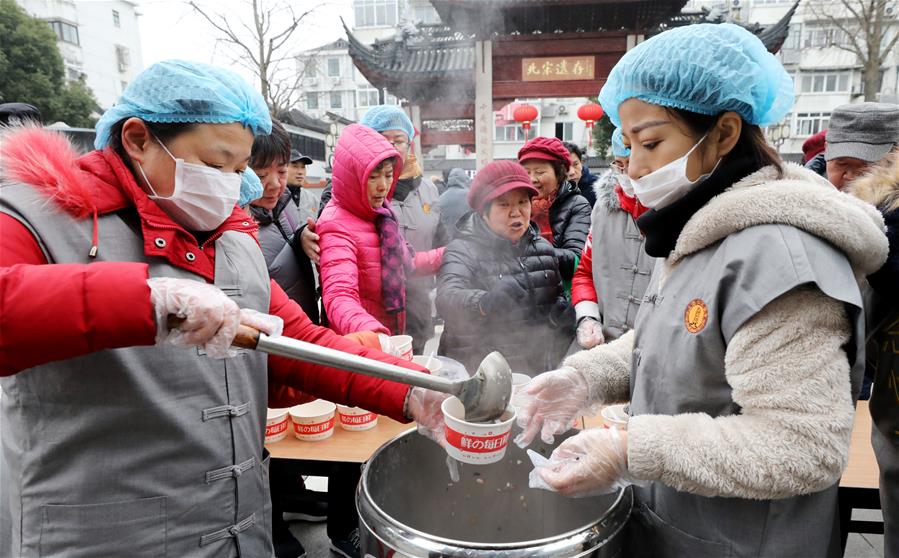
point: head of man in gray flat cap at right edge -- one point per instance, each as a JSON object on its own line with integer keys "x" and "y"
{"x": 858, "y": 136}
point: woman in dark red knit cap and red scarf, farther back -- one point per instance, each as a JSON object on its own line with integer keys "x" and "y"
{"x": 559, "y": 210}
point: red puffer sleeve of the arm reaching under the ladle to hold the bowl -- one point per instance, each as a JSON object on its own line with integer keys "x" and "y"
{"x": 380, "y": 396}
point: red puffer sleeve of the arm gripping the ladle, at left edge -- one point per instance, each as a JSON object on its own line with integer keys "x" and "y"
{"x": 51, "y": 312}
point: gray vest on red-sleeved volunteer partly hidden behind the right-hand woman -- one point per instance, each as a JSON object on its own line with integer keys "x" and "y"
{"x": 621, "y": 267}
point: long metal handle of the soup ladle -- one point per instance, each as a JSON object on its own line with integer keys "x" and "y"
{"x": 250, "y": 338}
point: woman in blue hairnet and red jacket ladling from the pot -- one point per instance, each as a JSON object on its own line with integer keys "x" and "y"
{"x": 120, "y": 435}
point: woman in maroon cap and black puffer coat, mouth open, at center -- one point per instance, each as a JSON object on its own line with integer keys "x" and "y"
{"x": 499, "y": 287}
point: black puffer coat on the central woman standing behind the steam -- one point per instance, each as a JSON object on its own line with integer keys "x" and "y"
{"x": 529, "y": 336}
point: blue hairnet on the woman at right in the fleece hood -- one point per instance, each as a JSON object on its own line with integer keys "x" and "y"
{"x": 707, "y": 69}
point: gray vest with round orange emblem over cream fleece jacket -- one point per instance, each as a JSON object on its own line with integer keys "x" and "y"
{"x": 713, "y": 293}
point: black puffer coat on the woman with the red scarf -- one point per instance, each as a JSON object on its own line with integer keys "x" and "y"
{"x": 569, "y": 219}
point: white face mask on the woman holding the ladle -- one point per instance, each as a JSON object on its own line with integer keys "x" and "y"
{"x": 203, "y": 197}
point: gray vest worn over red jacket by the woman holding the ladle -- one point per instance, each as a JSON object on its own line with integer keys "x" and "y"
{"x": 142, "y": 451}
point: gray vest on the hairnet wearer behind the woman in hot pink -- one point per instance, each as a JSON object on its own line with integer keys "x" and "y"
{"x": 418, "y": 216}
